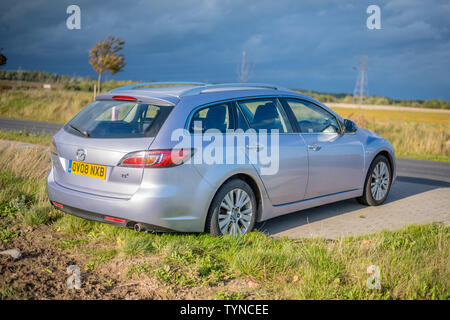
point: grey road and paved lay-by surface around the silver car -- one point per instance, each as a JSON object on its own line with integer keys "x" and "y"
{"x": 420, "y": 195}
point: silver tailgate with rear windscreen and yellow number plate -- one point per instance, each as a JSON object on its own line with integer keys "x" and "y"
{"x": 92, "y": 145}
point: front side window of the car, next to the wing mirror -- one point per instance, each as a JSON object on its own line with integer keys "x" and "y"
{"x": 312, "y": 118}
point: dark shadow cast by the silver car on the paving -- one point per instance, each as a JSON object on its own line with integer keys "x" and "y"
{"x": 403, "y": 187}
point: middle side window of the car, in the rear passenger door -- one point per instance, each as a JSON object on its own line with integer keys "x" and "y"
{"x": 265, "y": 114}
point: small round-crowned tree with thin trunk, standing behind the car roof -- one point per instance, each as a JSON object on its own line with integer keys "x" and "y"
{"x": 104, "y": 57}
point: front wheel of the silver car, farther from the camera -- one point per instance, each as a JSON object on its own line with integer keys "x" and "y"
{"x": 378, "y": 182}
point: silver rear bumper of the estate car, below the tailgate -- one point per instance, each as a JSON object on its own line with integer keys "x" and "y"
{"x": 165, "y": 208}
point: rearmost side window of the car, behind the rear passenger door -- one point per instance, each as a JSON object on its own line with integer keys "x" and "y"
{"x": 216, "y": 117}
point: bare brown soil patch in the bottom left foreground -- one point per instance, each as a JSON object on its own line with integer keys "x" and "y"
{"x": 41, "y": 273}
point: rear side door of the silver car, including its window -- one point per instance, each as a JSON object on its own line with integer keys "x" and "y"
{"x": 286, "y": 173}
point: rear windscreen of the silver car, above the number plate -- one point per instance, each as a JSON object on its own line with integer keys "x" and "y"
{"x": 118, "y": 119}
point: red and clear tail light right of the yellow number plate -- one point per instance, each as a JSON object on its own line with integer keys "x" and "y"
{"x": 156, "y": 158}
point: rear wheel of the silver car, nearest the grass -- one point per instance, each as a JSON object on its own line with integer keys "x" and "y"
{"x": 233, "y": 209}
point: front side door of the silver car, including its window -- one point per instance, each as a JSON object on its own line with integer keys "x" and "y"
{"x": 336, "y": 160}
